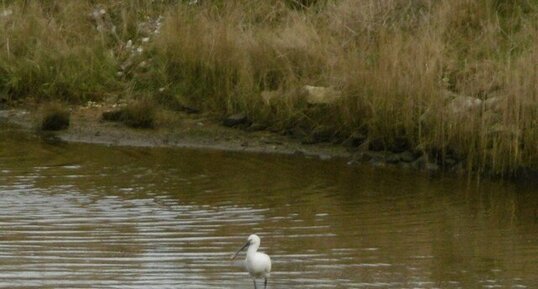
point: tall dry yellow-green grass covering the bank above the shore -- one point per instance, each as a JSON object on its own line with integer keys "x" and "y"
{"x": 453, "y": 79}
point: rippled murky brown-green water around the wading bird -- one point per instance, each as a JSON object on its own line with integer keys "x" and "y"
{"x": 87, "y": 216}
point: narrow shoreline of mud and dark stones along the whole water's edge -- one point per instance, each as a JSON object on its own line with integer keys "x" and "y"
{"x": 202, "y": 131}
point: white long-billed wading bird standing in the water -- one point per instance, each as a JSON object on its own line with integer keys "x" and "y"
{"x": 258, "y": 264}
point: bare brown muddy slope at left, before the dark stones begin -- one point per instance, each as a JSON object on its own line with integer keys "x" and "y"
{"x": 175, "y": 130}
